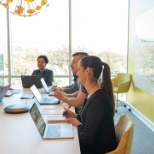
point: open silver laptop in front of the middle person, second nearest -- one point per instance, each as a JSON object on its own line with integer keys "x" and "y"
{"x": 43, "y": 100}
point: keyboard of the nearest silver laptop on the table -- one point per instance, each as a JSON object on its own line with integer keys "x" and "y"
{"x": 53, "y": 131}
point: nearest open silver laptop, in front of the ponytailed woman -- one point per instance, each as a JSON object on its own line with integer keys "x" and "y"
{"x": 50, "y": 131}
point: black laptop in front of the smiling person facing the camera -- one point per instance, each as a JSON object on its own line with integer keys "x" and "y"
{"x": 29, "y": 80}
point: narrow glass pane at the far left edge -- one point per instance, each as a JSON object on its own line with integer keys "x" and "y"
{"x": 3, "y": 45}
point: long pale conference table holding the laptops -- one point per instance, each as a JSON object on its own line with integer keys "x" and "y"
{"x": 19, "y": 135}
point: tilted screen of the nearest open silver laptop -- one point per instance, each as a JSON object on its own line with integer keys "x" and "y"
{"x": 38, "y": 119}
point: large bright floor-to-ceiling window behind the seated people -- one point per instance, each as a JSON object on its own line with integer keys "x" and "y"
{"x": 98, "y": 27}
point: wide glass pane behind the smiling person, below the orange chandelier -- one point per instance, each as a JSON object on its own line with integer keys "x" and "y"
{"x": 45, "y": 33}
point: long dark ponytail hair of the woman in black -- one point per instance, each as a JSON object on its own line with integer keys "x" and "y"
{"x": 99, "y": 67}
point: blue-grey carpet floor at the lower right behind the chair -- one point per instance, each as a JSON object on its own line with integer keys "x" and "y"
{"x": 143, "y": 139}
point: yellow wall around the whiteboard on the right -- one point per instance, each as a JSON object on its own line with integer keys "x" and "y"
{"x": 141, "y": 100}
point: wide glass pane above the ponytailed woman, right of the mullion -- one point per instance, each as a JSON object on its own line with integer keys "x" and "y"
{"x": 99, "y": 27}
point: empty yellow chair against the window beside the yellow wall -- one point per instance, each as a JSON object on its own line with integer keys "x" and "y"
{"x": 121, "y": 84}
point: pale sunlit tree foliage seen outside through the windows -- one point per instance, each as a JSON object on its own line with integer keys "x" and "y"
{"x": 25, "y": 59}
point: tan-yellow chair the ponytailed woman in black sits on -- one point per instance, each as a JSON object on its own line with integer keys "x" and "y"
{"x": 124, "y": 133}
